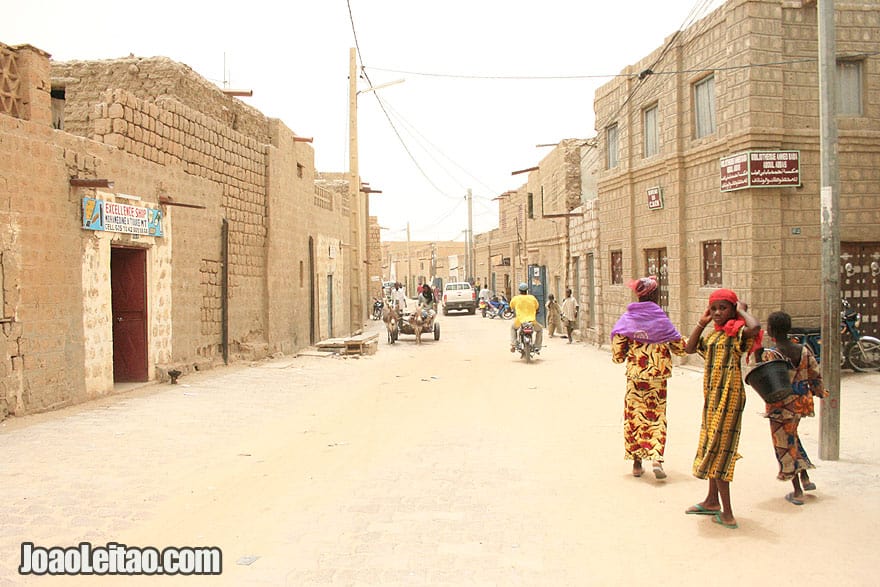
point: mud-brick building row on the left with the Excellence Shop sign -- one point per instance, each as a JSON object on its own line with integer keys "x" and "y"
{"x": 151, "y": 222}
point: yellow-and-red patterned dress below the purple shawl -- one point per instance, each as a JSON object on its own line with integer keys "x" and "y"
{"x": 648, "y": 366}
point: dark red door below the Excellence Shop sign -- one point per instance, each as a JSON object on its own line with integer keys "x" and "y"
{"x": 128, "y": 273}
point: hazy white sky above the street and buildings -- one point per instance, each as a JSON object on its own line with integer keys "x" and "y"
{"x": 459, "y": 120}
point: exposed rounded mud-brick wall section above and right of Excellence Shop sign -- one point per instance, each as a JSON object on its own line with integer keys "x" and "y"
{"x": 169, "y": 133}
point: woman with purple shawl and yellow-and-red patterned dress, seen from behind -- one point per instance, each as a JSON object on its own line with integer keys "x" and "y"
{"x": 645, "y": 338}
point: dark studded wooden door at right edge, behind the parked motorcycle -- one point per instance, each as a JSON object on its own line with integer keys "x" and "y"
{"x": 860, "y": 282}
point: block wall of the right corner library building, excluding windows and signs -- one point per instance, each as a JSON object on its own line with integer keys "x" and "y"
{"x": 770, "y": 236}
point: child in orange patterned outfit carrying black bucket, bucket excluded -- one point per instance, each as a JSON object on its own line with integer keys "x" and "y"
{"x": 785, "y": 415}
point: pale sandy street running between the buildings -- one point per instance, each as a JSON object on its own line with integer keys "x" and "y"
{"x": 449, "y": 463}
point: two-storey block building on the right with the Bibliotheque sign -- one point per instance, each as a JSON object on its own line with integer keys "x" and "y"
{"x": 710, "y": 163}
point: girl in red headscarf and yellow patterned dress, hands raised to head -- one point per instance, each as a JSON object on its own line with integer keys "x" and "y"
{"x": 734, "y": 333}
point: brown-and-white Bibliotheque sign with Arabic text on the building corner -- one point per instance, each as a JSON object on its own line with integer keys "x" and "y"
{"x": 760, "y": 169}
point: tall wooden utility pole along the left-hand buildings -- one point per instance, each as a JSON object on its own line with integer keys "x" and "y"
{"x": 354, "y": 190}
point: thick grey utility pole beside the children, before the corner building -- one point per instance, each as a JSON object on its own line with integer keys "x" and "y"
{"x": 829, "y": 421}
